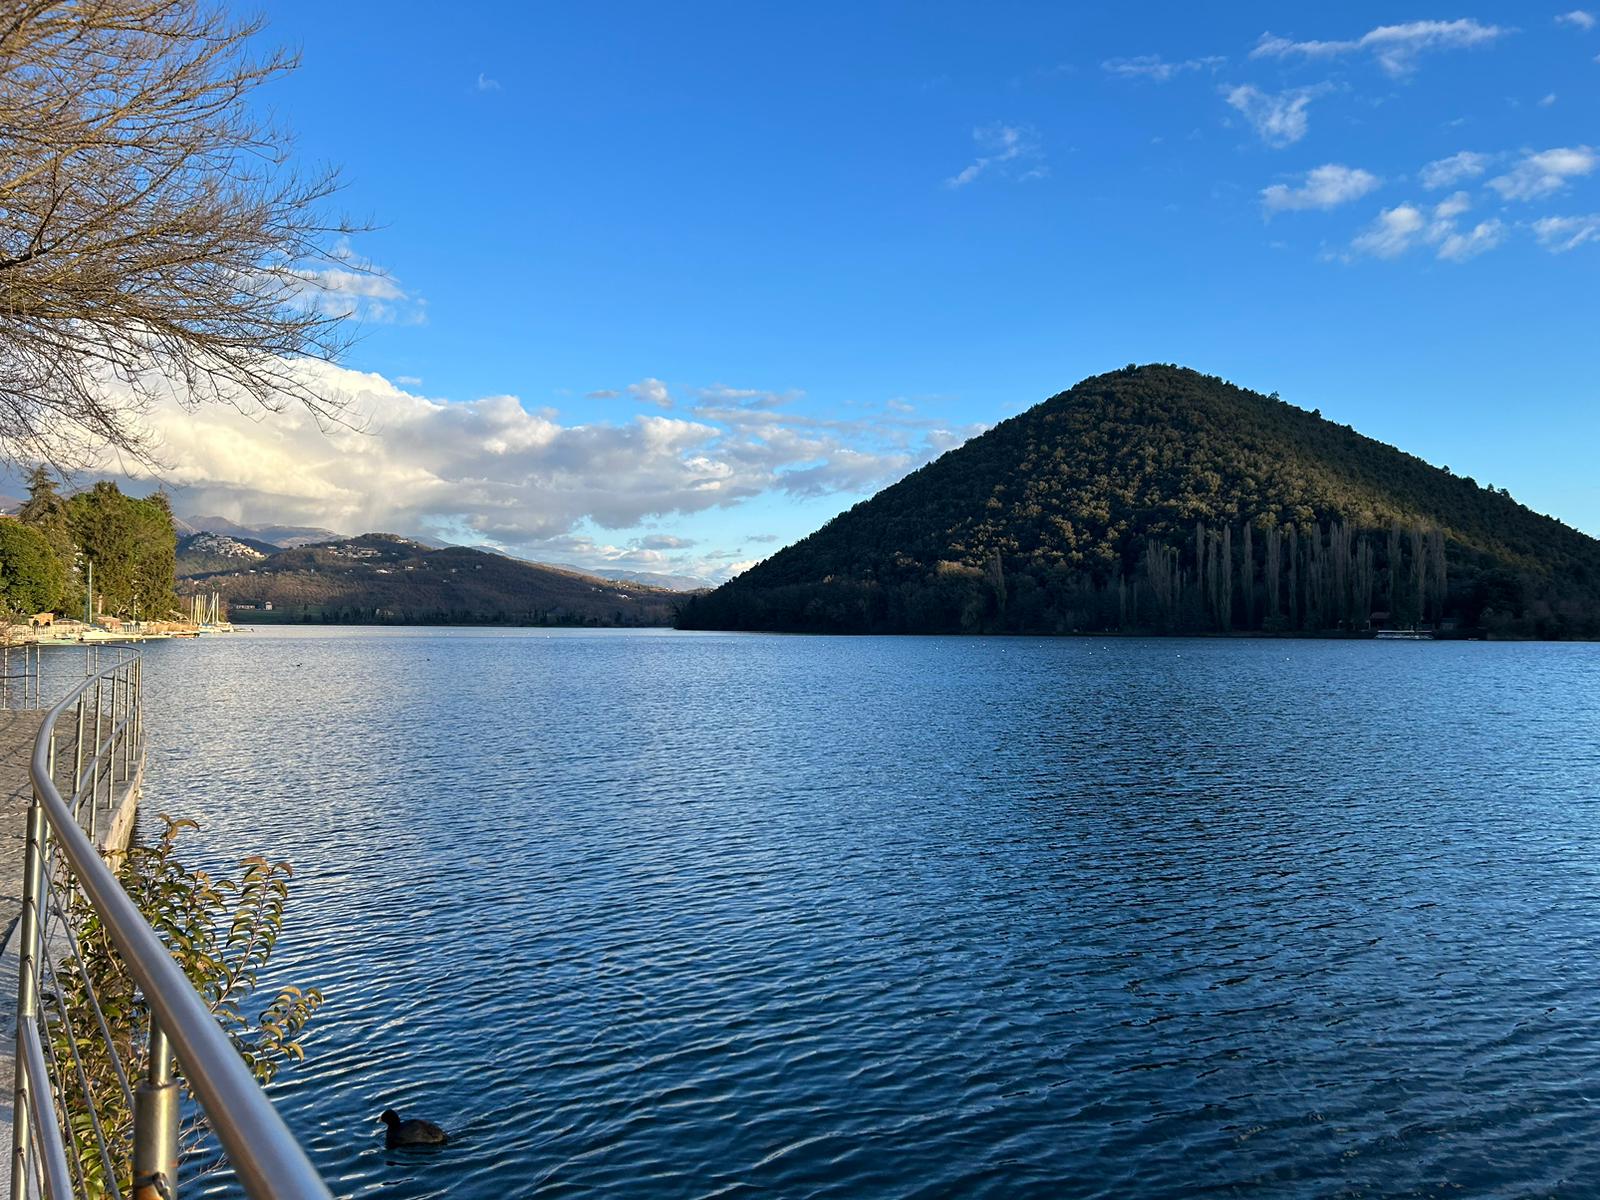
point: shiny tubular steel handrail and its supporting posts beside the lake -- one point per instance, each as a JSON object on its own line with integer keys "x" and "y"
{"x": 266, "y": 1158}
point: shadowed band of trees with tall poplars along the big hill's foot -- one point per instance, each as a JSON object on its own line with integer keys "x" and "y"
{"x": 1326, "y": 578}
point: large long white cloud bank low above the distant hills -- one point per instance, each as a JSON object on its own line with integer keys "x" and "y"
{"x": 492, "y": 473}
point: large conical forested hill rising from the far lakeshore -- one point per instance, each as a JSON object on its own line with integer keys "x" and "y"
{"x": 1162, "y": 500}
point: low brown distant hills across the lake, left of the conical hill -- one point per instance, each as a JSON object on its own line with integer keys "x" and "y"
{"x": 380, "y": 578}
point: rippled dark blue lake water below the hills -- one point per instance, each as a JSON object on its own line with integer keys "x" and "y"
{"x": 686, "y": 916}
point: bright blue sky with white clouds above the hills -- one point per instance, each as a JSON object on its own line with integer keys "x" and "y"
{"x": 743, "y": 265}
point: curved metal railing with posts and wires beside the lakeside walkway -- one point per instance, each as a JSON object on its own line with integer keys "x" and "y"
{"x": 57, "y": 1127}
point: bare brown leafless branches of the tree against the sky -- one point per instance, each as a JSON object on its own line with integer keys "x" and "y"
{"x": 154, "y": 234}
